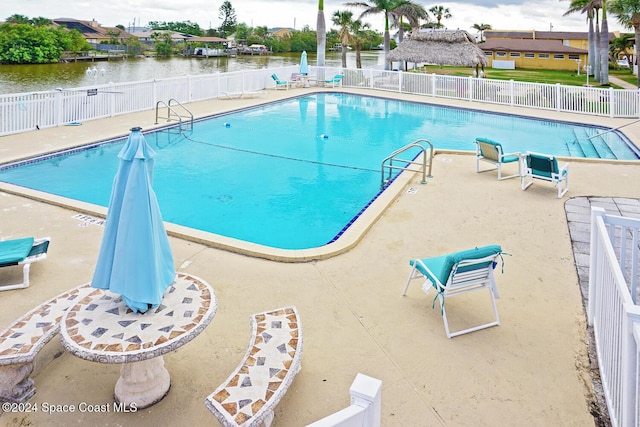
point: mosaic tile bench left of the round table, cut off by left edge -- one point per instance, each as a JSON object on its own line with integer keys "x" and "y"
{"x": 21, "y": 342}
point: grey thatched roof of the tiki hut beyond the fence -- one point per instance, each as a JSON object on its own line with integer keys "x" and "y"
{"x": 440, "y": 47}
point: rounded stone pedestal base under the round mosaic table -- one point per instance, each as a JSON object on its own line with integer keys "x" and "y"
{"x": 142, "y": 384}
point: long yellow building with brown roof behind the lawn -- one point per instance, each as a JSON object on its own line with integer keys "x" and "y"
{"x": 538, "y": 50}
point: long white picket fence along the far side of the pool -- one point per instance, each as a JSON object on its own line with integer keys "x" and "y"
{"x": 28, "y": 111}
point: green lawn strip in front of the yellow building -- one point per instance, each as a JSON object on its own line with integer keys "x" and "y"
{"x": 569, "y": 78}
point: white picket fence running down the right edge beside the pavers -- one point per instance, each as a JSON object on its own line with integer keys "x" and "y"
{"x": 614, "y": 313}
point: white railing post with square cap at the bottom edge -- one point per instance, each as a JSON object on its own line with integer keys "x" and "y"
{"x": 364, "y": 411}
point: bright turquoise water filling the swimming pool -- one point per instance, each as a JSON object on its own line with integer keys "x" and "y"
{"x": 294, "y": 174}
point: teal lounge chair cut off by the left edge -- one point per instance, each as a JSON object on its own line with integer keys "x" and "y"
{"x": 22, "y": 252}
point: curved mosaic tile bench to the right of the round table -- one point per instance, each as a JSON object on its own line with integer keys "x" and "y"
{"x": 249, "y": 395}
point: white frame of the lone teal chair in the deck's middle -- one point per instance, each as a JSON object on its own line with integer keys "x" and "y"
{"x": 466, "y": 276}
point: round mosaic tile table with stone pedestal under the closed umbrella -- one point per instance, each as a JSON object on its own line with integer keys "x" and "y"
{"x": 101, "y": 328}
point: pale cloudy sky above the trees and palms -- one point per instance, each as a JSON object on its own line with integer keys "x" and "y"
{"x": 544, "y": 15}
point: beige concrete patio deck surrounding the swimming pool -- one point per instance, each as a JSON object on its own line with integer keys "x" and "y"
{"x": 533, "y": 370}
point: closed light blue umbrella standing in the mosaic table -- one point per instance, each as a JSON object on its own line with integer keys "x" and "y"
{"x": 135, "y": 258}
